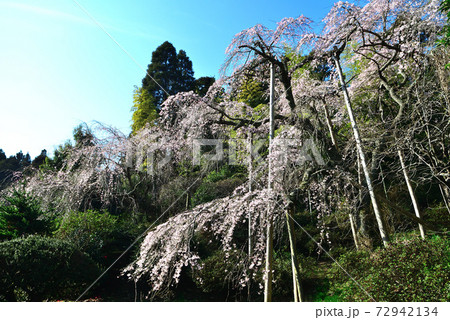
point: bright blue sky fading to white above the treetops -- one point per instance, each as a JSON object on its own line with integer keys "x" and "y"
{"x": 58, "y": 68}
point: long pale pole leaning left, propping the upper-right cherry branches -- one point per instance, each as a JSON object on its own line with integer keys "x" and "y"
{"x": 383, "y": 233}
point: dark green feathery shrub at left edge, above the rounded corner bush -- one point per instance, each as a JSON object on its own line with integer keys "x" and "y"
{"x": 20, "y": 215}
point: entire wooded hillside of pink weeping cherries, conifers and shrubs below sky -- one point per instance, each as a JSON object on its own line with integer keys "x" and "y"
{"x": 315, "y": 169}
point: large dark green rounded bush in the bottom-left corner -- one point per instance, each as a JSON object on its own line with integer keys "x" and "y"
{"x": 39, "y": 268}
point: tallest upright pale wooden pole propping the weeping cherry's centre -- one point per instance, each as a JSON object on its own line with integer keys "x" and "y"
{"x": 269, "y": 235}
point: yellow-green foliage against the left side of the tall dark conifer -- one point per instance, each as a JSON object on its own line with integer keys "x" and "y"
{"x": 144, "y": 110}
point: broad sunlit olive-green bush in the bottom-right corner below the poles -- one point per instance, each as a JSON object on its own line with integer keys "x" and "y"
{"x": 408, "y": 270}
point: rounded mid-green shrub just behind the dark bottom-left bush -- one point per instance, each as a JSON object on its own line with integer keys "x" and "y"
{"x": 88, "y": 231}
